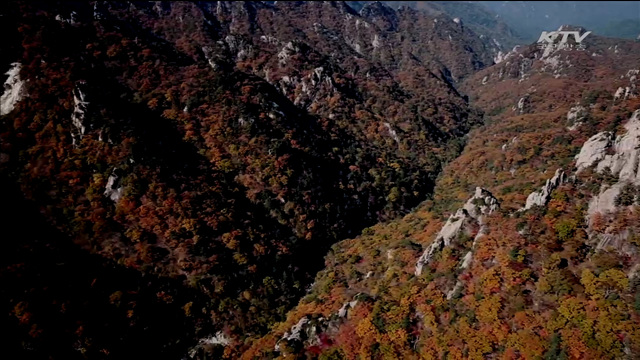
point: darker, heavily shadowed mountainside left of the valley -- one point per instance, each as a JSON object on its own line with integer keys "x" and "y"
{"x": 197, "y": 160}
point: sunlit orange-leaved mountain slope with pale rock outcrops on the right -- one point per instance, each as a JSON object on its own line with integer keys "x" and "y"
{"x": 529, "y": 248}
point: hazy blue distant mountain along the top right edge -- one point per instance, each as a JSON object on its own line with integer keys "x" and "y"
{"x": 517, "y": 22}
